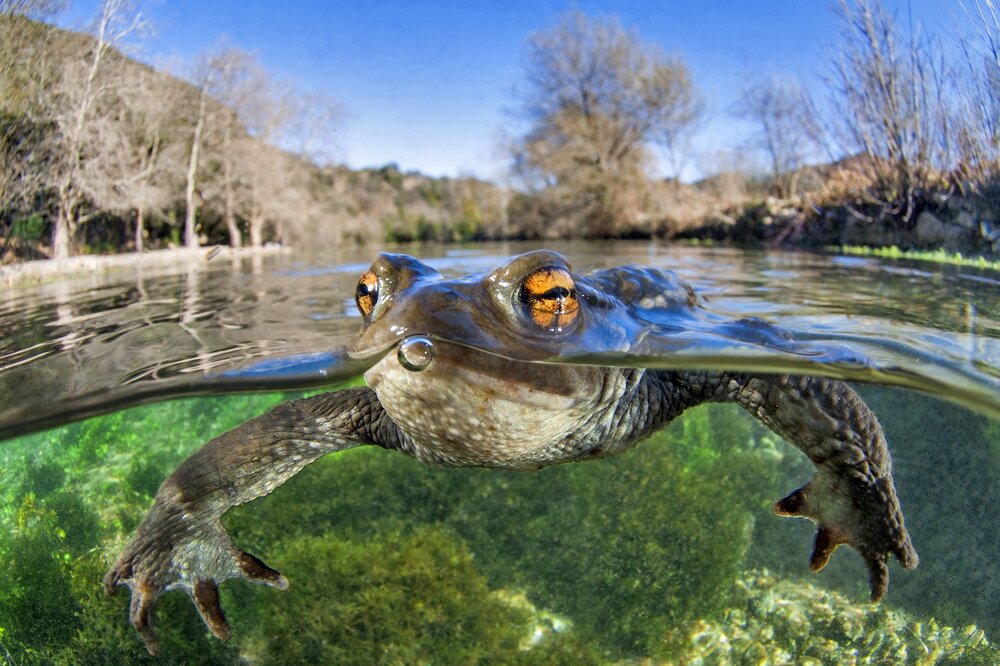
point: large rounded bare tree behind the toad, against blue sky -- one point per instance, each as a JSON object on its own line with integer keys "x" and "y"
{"x": 596, "y": 97}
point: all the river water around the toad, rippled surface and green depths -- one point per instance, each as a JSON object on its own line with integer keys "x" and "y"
{"x": 668, "y": 552}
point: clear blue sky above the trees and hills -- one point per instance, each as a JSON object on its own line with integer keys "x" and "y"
{"x": 428, "y": 84}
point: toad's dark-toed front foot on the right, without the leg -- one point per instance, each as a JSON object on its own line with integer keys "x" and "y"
{"x": 865, "y": 516}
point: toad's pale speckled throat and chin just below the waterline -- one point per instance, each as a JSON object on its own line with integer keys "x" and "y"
{"x": 458, "y": 416}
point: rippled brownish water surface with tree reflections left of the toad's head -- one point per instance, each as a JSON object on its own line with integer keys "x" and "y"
{"x": 128, "y": 335}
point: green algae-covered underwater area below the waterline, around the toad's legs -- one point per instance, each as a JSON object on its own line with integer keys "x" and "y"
{"x": 639, "y": 556}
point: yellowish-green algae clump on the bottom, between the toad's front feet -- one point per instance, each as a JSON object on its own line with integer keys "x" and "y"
{"x": 398, "y": 598}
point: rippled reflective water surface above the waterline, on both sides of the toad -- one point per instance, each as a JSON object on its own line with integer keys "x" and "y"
{"x": 78, "y": 347}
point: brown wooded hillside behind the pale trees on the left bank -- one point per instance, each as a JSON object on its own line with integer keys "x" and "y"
{"x": 319, "y": 204}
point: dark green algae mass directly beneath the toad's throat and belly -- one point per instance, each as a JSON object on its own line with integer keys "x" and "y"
{"x": 653, "y": 538}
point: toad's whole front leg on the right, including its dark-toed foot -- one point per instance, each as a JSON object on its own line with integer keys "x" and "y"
{"x": 851, "y": 498}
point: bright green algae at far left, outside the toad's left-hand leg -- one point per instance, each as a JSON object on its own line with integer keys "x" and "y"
{"x": 69, "y": 494}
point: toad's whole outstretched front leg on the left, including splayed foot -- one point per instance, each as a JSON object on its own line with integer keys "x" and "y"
{"x": 181, "y": 543}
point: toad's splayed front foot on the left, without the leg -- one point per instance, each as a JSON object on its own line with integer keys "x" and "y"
{"x": 172, "y": 550}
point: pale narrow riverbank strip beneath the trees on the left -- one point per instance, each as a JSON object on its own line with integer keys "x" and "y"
{"x": 29, "y": 272}
